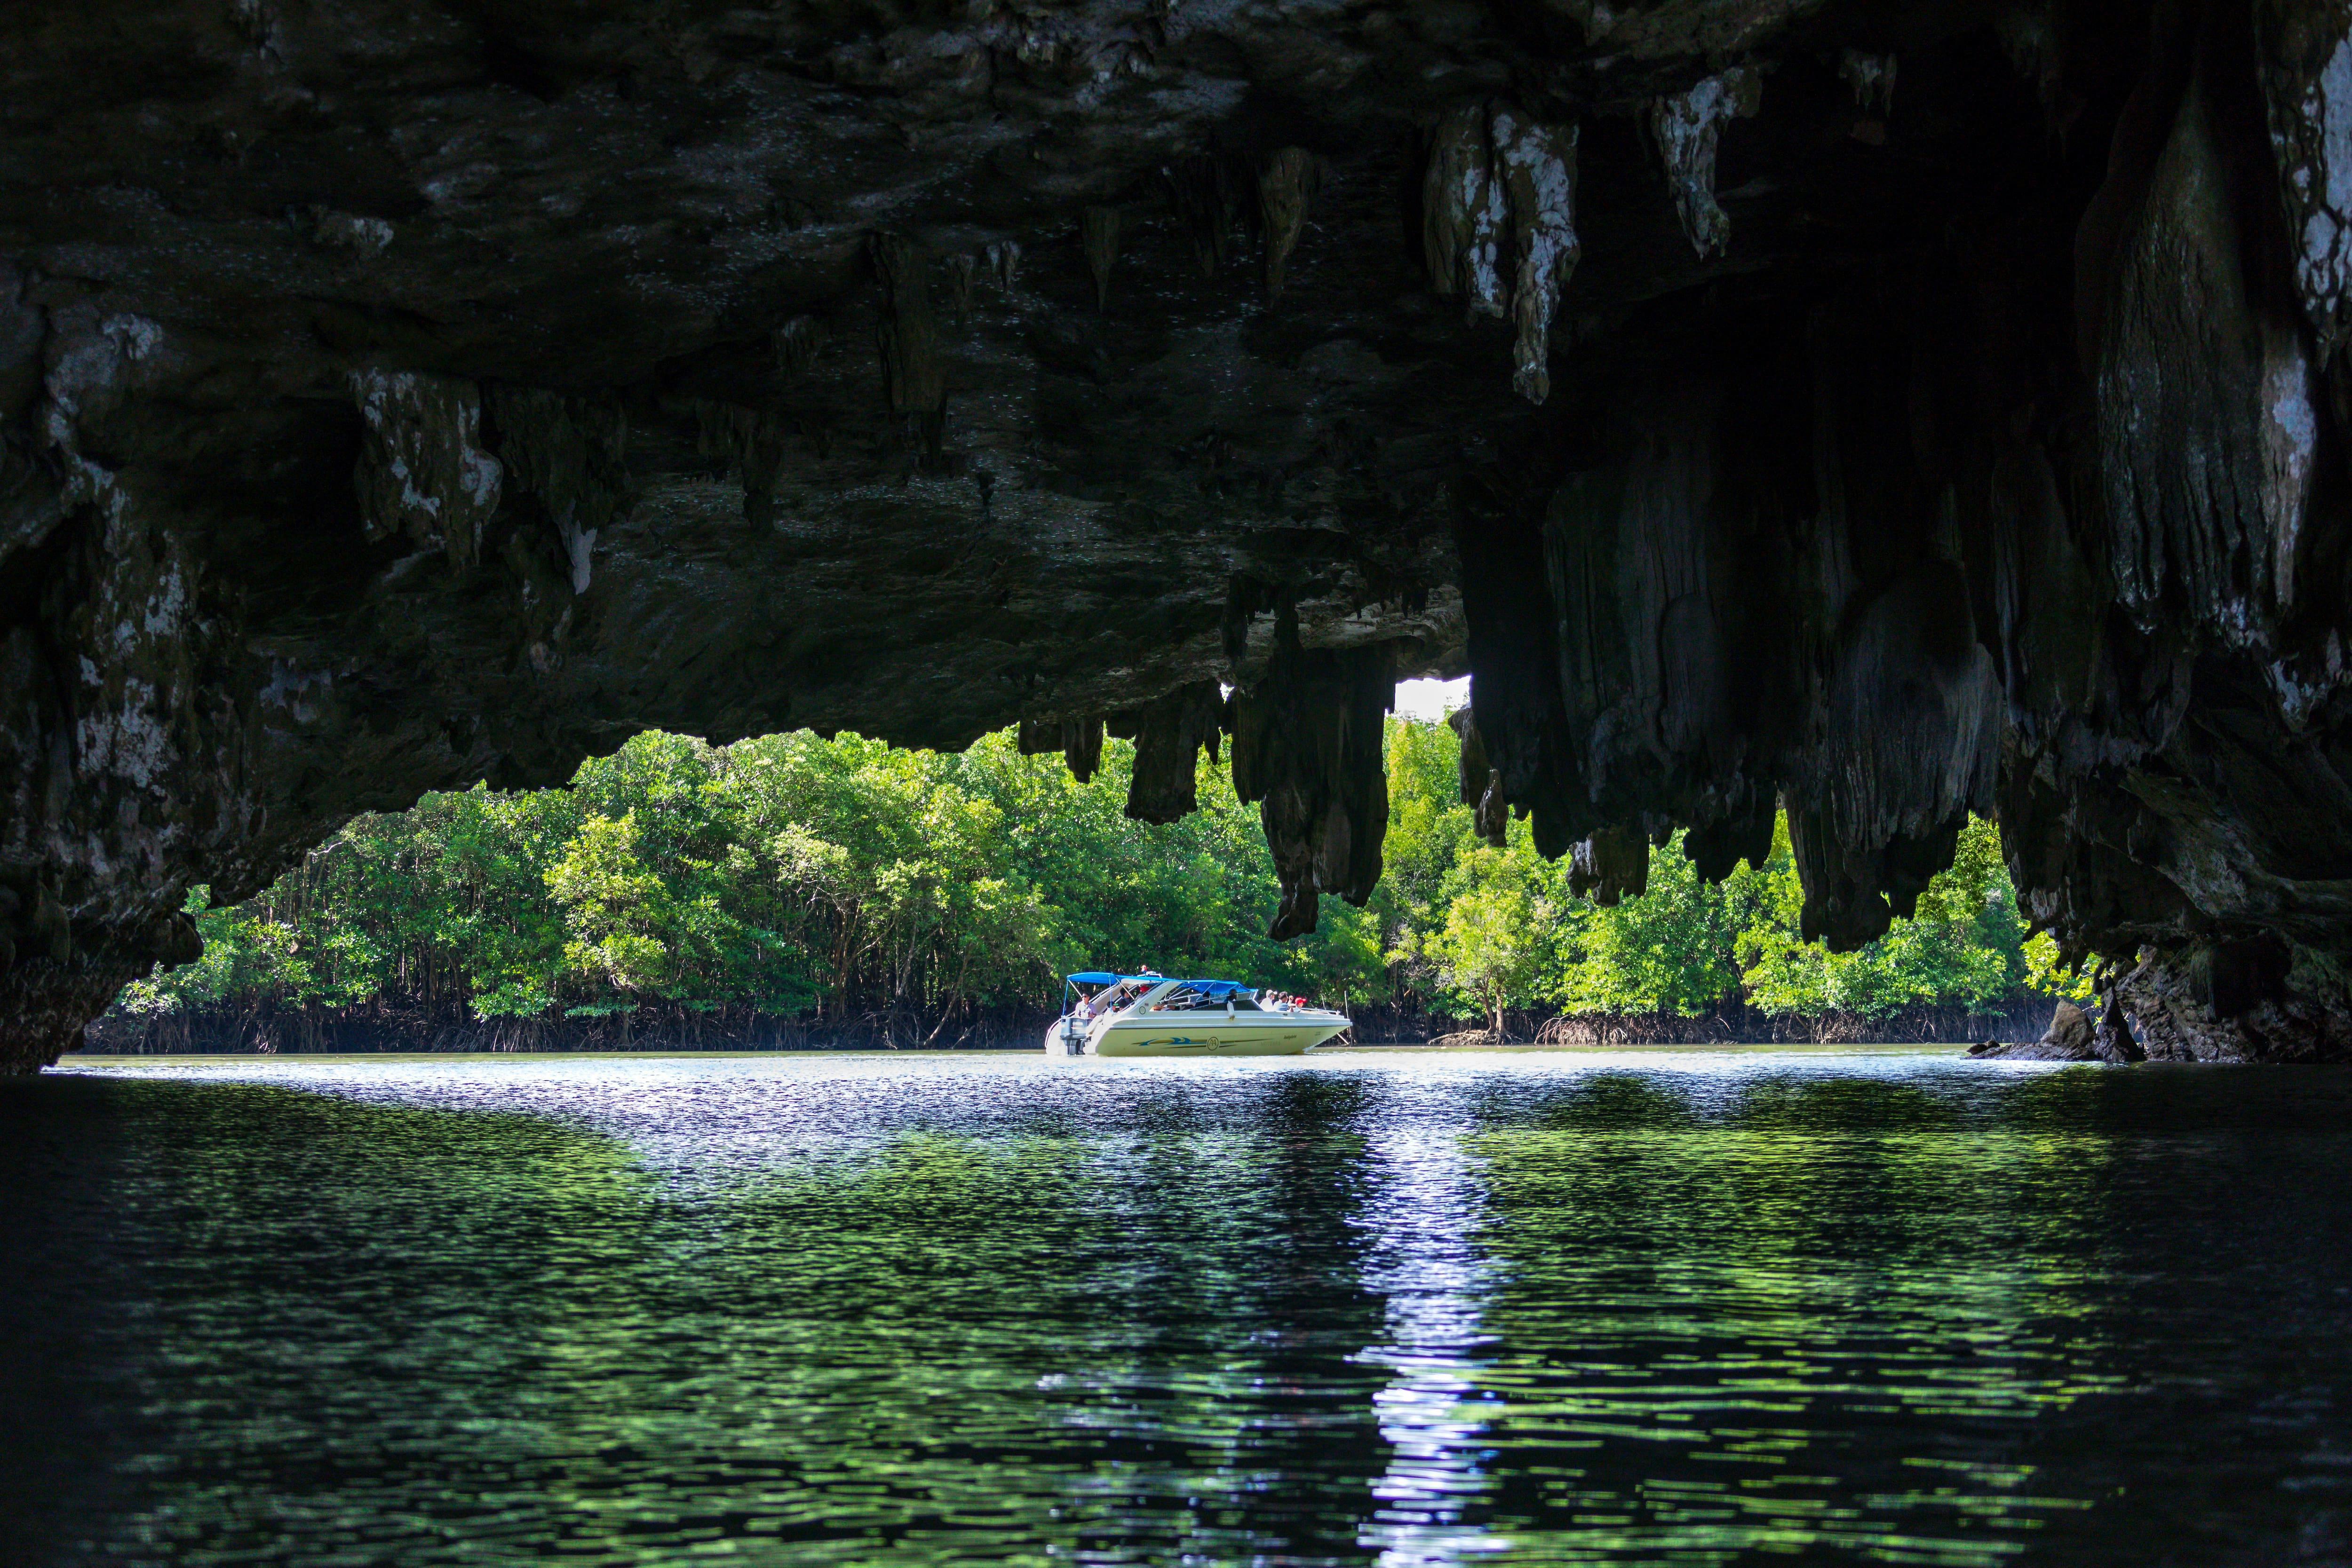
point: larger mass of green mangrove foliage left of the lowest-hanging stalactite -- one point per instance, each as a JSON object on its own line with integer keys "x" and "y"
{"x": 789, "y": 876}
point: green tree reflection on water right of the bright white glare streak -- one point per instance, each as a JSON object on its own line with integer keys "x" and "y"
{"x": 1805, "y": 1320}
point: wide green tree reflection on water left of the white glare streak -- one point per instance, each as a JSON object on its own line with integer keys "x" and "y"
{"x": 469, "y": 1334}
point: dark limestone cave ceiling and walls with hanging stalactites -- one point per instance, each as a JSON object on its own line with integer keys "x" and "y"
{"x": 406, "y": 396}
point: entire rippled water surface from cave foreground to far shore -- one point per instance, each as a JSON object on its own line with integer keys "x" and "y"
{"x": 1361, "y": 1311}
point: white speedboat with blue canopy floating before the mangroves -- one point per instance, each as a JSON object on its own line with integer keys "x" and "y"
{"x": 1156, "y": 1017}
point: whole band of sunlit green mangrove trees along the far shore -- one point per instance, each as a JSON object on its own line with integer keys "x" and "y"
{"x": 794, "y": 892}
